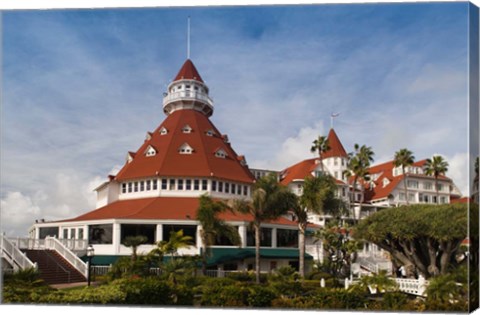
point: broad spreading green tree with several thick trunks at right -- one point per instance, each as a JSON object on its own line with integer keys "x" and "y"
{"x": 422, "y": 236}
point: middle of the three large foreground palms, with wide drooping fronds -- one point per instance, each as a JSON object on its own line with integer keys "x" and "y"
{"x": 269, "y": 201}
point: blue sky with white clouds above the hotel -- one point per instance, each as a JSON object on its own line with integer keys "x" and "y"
{"x": 82, "y": 87}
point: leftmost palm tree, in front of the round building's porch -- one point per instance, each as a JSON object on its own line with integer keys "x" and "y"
{"x": 213, "y": 227}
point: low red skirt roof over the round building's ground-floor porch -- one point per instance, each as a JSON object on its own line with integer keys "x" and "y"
{"x": 160, "y": 208}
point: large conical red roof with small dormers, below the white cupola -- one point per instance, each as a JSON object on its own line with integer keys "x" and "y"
{"x": 201, "y": 163}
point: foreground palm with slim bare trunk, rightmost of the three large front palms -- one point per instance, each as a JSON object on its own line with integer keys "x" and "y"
{"x": 318, "y": 197}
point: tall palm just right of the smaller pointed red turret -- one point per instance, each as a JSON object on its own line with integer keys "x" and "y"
{"x": 357, "y": 166}
